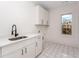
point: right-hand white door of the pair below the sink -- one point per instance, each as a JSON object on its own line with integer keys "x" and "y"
{"x": 30, "y": 51}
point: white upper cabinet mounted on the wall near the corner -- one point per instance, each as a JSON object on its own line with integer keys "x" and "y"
{"x": 41, "y": 16}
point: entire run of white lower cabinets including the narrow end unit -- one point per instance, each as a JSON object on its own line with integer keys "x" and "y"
{"x": 27, "y": 51}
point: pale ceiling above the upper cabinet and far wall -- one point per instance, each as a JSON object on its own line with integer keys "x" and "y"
{"x": 55, "y": 4}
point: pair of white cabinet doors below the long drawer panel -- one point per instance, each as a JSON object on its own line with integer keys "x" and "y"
{"x": 25, "y": 52}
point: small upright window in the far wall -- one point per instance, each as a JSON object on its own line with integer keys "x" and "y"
{"x": 67, "y": 24}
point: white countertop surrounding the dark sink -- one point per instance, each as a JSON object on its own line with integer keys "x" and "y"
{"x": 6, "y": 41}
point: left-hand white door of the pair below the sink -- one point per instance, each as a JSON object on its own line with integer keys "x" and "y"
{"x": 15, "y": 54}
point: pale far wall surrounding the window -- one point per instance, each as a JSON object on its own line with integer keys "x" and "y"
{"x": 54, "y": 30}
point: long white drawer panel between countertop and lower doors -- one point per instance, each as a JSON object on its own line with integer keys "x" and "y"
{"x": 12, "y": 47}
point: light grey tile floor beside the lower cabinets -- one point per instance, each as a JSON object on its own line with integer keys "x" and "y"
{"x": 54, "y": 50}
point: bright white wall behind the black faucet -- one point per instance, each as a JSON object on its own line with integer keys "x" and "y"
{"x": 20, "y": 13}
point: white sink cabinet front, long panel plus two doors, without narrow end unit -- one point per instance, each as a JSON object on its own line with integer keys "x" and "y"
{"x": 22, "y": 49}
